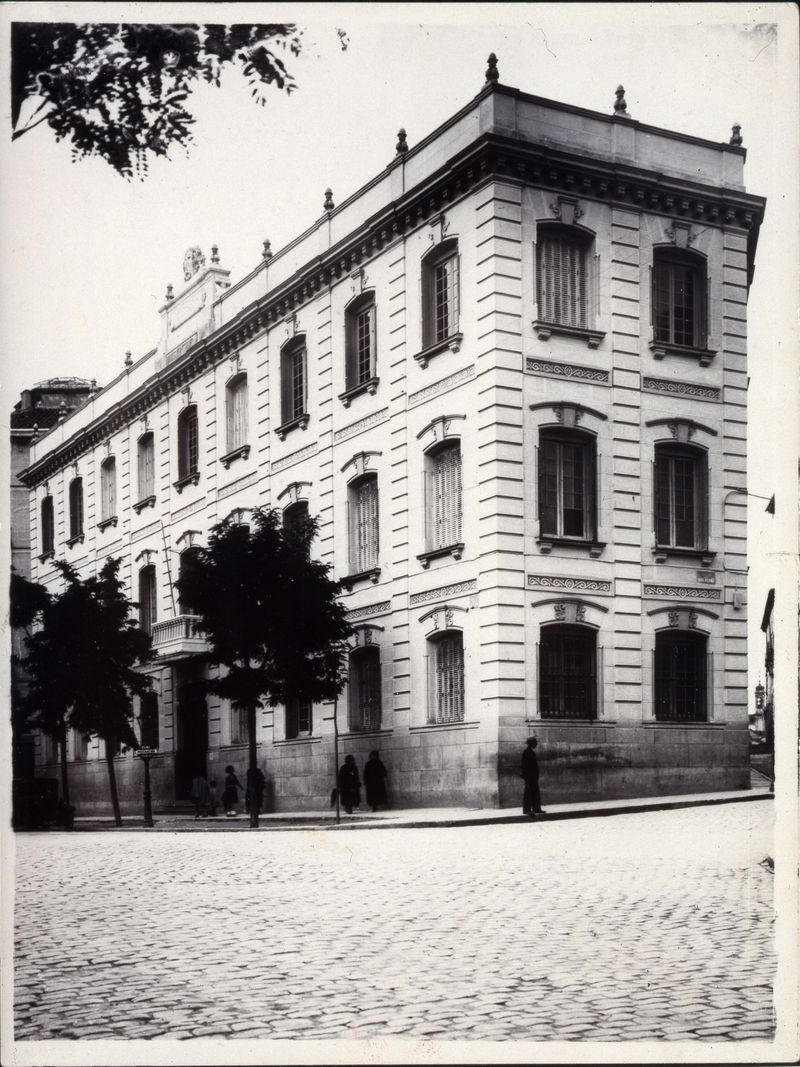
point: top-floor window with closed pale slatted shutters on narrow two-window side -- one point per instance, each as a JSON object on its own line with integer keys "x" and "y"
{"x": 563, "y": 276}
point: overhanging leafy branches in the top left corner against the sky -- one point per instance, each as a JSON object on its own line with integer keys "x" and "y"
{"x": 120, "y": 91}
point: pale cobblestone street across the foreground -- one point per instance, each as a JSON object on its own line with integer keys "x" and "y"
{"x": 655, "y": 926}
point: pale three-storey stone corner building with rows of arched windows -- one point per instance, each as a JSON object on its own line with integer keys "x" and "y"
{"x": 509, "y": 376}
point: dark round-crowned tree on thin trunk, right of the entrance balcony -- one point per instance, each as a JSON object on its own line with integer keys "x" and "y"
{"x": 271, "y": 617}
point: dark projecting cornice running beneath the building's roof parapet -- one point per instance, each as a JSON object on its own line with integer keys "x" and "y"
{"x": 490, "y": 156}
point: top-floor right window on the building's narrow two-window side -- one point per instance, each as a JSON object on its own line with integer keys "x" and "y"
{"x": 680, "y": 299}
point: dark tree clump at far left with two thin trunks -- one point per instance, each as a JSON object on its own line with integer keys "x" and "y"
{"x": 82, "y": 660}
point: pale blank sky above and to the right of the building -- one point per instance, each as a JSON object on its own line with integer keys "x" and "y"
{"x": 87, "y": 257}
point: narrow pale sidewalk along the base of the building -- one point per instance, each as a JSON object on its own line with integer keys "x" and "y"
{"x": 423, "y": 818}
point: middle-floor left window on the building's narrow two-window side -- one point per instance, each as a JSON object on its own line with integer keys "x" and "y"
{"x": 567, "y": 485}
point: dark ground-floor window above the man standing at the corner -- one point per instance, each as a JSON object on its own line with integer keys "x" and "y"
{"x": 568, "y": 673}
